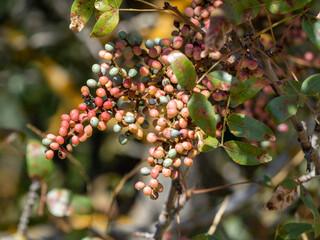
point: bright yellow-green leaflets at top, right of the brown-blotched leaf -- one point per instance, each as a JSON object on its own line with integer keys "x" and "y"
{"x": 108, "y": 20}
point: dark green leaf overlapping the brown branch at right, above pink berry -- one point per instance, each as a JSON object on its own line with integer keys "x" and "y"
{"x": 283, "y": 107}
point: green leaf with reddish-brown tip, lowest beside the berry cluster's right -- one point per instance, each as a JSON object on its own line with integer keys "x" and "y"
{"x": 246, "y": 154}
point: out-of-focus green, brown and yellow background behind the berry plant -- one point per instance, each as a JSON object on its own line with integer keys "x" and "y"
{"x": 42, "y": 68}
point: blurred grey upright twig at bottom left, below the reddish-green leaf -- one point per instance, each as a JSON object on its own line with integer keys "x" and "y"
{"x": 24, "y": 219}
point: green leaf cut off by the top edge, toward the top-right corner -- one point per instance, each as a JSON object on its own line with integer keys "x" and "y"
{"x": 282, "y": 7}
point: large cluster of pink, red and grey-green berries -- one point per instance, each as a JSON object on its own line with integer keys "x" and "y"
{"x": 136, "y": 86}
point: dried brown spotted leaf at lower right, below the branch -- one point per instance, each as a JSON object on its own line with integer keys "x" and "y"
{"x": 284, "y": 195}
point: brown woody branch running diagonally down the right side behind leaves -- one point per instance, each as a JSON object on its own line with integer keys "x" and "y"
{"x": 310, "y": 153}
